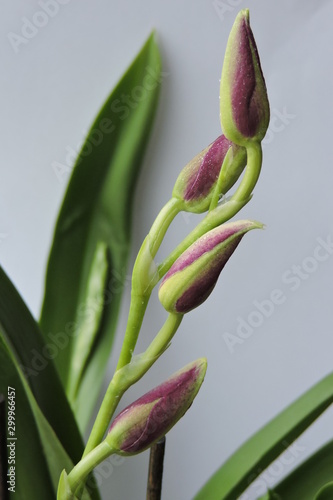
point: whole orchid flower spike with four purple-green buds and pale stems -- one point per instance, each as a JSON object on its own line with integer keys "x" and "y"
{"x": 192, "y": 270}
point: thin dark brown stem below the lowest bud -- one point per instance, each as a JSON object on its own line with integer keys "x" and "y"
{"x": 155, "y": 474}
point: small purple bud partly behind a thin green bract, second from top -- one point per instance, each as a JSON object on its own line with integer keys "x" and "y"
{"x": 196, "y": 182}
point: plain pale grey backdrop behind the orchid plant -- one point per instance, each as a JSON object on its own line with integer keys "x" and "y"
{"x": 51, "y": 89}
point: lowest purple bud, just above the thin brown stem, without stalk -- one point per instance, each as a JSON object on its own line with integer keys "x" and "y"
{"x": 150, "y": 417}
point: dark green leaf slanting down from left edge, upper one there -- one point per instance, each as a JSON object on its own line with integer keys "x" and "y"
{"x": 22, "y": 336}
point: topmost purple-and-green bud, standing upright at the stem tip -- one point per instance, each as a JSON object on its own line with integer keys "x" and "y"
{"x": 243, "y": 96}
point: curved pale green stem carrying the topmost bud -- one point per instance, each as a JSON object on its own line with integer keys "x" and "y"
{"x": 226, "y": 210}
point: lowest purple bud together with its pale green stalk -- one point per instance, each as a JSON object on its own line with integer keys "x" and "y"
{"x": 141, "y": 424}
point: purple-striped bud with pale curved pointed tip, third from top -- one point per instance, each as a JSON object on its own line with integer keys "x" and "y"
{"x": 193, "y": 276}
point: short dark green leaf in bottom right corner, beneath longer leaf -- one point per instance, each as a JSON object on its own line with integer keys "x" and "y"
{"x": 314, "y": 474}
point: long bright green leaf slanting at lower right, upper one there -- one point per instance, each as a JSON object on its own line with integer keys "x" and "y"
{"x": 267, "y": 444}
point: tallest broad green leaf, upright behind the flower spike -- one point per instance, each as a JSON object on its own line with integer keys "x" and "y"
{"x": 97, "y": 209}
